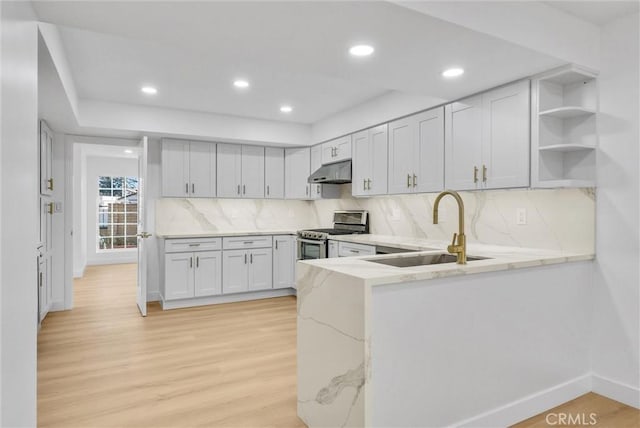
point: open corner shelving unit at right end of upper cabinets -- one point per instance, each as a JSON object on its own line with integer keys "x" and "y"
{"x": 564, "y": 133}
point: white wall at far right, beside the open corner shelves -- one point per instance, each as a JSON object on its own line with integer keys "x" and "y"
{"x": 616, "y": 341}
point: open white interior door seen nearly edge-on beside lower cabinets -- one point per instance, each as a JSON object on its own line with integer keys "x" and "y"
{"x": 142, "y": 233}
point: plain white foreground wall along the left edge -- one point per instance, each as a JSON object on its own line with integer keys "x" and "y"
{"x": 19, "y": 221}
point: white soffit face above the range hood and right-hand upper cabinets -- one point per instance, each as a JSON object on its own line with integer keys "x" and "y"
{"x": 391, "y": 105}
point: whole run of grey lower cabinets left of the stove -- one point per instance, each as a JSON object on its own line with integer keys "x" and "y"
{"x": 195, "y": 268}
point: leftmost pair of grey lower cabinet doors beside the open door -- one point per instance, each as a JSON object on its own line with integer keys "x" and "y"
{"x": 193, "y": 274}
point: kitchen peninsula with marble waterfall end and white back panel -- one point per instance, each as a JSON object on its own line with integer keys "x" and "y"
{"x": 481, "y": 344}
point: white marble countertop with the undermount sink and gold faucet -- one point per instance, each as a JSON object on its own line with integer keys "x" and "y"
{"x": 498, "y": 258}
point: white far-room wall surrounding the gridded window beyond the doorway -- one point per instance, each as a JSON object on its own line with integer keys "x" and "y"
{"x": 105, "y": 166}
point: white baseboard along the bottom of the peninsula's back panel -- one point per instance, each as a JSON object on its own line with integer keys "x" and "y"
{"x": 531, "y": 405}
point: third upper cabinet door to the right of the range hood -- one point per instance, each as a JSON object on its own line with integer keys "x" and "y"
{"x": 401, "y": 156}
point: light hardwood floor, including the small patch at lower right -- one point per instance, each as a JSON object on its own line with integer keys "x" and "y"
{"x": 232, "y": 365}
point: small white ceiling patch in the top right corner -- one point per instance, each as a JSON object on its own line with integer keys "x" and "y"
{"x": 597, "y": 12}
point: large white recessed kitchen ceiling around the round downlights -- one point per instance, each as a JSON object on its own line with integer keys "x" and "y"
{"x": 291, "y": 52}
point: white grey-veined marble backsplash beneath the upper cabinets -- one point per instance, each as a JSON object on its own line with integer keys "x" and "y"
{"x": 558, "y": 219}
